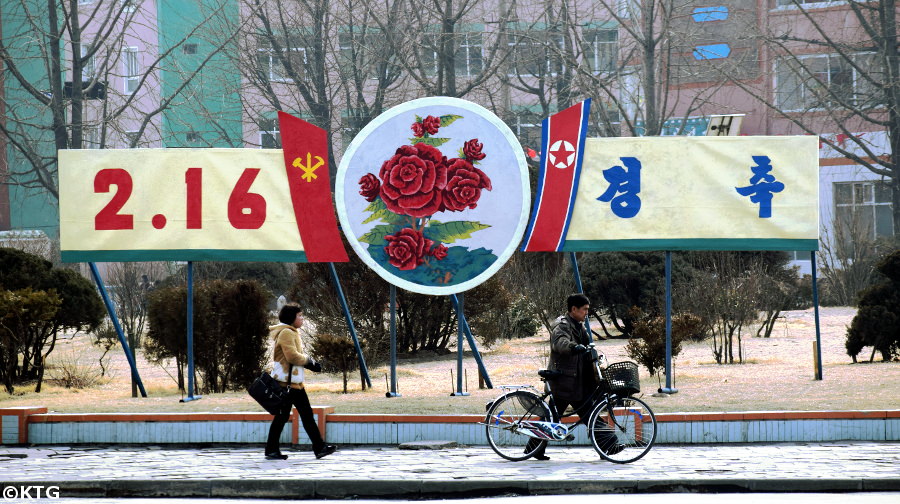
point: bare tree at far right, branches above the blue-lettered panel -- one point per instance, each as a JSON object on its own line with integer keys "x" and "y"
{"x": 840, "y": 71}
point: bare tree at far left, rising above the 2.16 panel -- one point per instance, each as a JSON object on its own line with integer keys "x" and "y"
{"x": 45, "y": 42}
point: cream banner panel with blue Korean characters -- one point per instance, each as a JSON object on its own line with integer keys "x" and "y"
{"x": 705, "y": 193}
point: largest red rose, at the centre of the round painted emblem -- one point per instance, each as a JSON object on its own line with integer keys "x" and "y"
{"x": 412, "y": 180}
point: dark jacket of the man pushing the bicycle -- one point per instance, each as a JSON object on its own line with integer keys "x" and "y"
{"x": 577, "y": 378}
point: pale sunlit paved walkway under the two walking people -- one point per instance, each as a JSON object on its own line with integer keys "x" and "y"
{"x": 242, "y": 472}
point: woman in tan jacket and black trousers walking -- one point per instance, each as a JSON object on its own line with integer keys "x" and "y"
{"x": 290, "y": 361}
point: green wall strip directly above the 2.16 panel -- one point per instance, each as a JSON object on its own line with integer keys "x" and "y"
{"x": 210, "y": 107}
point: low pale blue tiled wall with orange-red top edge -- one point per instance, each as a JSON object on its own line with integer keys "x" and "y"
{"x": 36, "y": 426}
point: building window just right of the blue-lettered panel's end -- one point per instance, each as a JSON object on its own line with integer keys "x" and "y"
{"x": 863, "y": 210}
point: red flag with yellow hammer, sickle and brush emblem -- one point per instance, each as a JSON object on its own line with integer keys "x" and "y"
{"x": 305, "y": 148}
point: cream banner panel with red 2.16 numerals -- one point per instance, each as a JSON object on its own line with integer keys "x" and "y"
{"x": 176, "y": 204}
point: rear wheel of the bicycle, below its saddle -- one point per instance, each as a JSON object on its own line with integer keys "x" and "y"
{"x": 504, "y": 419}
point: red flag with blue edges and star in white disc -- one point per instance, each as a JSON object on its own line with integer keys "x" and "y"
{"x": 561, "y": 152}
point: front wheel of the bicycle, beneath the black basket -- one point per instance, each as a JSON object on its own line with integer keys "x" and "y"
{"x": 624, "y": 432}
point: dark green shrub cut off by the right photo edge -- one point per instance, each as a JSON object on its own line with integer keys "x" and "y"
{"x": 877, "y": 323}
